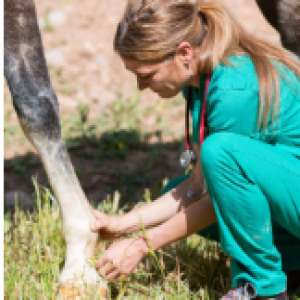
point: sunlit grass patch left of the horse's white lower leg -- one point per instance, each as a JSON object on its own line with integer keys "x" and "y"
{"x": 33, "y": 250}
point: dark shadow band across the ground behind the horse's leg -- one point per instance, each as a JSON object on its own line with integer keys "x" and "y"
{"x": 126, "y": 161}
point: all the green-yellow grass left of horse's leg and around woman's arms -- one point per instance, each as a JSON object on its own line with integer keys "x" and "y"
{"x": 34, "y": 250}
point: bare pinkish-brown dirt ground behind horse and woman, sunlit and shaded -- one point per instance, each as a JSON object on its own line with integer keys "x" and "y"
{"x": 84, "y": 68}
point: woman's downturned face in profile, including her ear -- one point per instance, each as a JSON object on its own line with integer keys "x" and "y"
{"x": 165, "y": 78}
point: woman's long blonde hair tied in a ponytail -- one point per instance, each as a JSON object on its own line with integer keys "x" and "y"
{"x": 151, "y": 31}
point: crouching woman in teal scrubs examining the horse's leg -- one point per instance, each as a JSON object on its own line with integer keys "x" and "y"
{"x": 250, "y": 160}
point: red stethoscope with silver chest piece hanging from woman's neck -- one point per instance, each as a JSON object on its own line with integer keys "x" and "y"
{"x": 188, "y": 158}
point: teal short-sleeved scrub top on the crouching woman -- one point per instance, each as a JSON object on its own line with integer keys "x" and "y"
{"x": 232, "y": 104}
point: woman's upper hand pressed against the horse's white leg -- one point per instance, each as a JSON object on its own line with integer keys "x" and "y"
{"x": 110, "y": 227}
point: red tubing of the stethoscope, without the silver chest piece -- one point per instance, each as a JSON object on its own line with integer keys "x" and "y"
{"x": 203, "y": 124}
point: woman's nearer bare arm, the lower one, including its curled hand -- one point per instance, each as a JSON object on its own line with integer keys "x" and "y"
{"x": 122, "y": 257}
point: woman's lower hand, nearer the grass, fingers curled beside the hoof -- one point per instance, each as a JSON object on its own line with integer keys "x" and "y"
{"x": 121, "y": 258}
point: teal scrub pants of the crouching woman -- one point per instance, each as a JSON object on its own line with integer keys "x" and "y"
{"x": 255, "y": 190}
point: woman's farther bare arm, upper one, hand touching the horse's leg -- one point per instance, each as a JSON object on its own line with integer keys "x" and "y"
{"x": 154, "y": 213}
